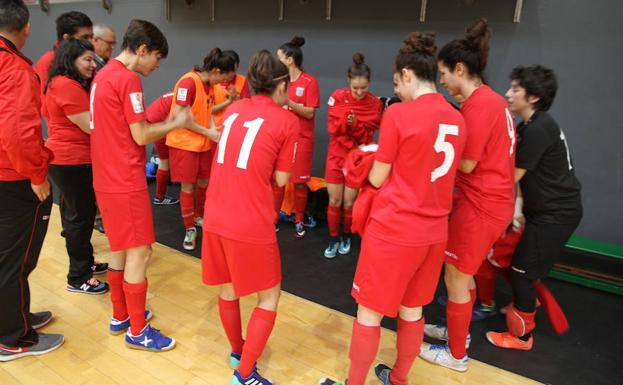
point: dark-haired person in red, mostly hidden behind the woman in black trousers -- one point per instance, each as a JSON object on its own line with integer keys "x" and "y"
{"x": 69, "y": 25}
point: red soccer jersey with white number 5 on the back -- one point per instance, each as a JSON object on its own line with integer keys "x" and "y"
{"x": 423, "y": 141}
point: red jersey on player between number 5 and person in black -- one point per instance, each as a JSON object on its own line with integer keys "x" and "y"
{"x": 491, "y": 142}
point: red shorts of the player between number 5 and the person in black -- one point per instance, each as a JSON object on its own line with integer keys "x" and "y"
{"x": 470, "y": 237}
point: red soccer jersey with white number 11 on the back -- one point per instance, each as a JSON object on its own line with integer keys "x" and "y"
{"x": 258, "y": 137}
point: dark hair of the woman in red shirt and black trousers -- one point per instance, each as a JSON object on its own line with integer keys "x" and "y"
{"x": 64, "y": 62}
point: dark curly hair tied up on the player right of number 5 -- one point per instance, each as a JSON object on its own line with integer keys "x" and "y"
{"x": 472, "y": 51}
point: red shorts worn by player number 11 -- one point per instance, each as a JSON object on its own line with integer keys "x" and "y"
{"x": 249, "y": 267}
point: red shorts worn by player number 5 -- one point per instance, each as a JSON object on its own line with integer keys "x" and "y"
{"x": 390, "y": 275}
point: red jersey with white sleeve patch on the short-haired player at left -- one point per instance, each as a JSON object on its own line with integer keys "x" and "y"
{"x": 117, "y": 102}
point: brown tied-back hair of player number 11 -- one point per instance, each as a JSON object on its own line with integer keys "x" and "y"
{"x": 266, "y": 72}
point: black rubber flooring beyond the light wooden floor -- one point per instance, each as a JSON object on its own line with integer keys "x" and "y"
{"x": 590, "y": 353}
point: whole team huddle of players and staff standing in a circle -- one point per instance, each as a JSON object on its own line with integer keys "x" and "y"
{"x": 440, "y": 187}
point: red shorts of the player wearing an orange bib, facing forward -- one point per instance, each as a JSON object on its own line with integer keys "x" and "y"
{"x": 189, "y": 166}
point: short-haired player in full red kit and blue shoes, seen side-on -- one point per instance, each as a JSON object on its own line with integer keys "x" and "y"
{"x": 119, "y": 135}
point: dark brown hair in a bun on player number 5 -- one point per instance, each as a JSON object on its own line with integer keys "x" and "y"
{"x": 418, "y": 55}
